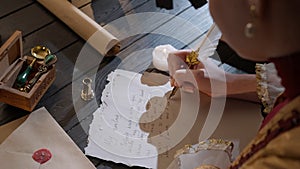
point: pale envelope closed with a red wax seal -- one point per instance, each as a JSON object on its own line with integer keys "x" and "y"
{"x": 39, "y": 131}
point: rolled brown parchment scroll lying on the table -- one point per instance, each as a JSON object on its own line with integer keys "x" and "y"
{"x": 99, "y": 38}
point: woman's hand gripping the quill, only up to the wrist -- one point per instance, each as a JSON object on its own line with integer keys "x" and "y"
{"x": 206, "y": 76}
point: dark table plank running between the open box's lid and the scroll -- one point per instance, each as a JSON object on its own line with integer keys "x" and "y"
{"x": 27, "y": 20}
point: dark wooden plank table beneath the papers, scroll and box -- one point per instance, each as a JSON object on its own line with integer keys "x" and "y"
{"x": 40, "y": 27}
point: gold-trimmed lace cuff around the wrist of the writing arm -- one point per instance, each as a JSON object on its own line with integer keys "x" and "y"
{"x": 268, "y": 85}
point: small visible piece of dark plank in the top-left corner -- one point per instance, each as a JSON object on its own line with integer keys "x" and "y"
{"x": 9, "y": 6}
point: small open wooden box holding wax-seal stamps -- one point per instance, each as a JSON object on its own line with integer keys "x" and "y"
{"x": 12, "y": 62}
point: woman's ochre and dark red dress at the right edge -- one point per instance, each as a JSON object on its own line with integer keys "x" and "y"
{"x": 277, "y": 144}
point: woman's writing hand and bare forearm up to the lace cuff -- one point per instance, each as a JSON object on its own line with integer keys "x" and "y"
{"x": 210, "y": 79}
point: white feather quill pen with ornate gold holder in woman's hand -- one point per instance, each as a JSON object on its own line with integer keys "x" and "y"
{"x": 207, "y": 48}
